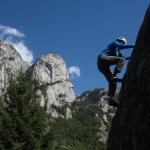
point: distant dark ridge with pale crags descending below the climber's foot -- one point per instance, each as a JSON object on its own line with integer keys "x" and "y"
{"x": 97, "y": 97}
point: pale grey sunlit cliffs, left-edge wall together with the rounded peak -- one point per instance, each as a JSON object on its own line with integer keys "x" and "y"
{"x": 49, "y": 72}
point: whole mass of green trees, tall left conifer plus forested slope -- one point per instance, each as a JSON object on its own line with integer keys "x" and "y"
{"x": 25, "y": 125}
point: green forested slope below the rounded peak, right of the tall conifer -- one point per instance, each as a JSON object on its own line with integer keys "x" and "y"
{"x": 79, "y": 132}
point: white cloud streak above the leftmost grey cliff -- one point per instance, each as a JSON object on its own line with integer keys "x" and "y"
{"x": 15, "y": 37}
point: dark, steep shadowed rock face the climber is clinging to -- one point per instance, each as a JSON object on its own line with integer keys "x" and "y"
{"x": 130, "y": 128}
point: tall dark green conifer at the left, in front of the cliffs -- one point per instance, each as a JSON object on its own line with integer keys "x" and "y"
{"x": 23, "y": 122}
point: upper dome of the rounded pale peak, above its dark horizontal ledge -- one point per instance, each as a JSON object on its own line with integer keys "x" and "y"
{"x": 50, "y": 68}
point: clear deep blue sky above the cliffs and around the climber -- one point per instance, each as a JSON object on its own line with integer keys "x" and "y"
{"x": 75, "y": 29}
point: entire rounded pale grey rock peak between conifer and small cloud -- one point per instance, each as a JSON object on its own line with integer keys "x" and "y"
{"x": 51, "y": 74}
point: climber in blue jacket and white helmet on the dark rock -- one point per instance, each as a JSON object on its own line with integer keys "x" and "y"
{"x": 112, "y": 56}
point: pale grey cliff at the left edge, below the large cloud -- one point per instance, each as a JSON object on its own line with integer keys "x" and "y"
{"x": 10, "y": 63}
